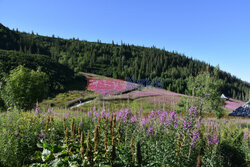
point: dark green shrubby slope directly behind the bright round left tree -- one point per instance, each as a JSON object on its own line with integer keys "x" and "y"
{"x": 58, "y": 74}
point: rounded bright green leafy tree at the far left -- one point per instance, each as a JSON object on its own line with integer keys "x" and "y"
{"x": 24, "y": 87}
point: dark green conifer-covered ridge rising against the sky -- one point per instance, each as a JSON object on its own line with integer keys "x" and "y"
{"x": 119, "y": 61}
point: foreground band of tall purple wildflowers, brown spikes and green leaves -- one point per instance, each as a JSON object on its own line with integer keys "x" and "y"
{"x": 102, "y": 138}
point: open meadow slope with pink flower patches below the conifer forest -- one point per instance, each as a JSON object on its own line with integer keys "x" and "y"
{"x": 117, "y": 94}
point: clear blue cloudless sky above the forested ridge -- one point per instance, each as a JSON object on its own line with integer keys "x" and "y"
{"x": 214, "y": 31}
